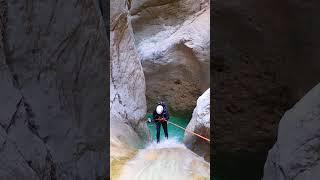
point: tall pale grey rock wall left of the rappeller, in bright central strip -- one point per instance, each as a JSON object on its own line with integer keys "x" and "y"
{"x": 127, "y": 84}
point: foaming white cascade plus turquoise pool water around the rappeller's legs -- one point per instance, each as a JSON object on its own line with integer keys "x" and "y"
{"x": 169, "y": 159}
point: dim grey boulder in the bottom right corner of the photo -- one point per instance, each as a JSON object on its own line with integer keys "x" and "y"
{"x": 295, "y": 155}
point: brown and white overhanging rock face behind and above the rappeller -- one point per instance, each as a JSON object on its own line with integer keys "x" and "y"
{"x": 172, "y": 38}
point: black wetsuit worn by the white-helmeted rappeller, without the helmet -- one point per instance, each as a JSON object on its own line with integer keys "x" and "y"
{"x": 156, "y": 116}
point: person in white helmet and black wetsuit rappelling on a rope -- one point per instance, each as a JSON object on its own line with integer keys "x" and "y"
{"x": 160, "y": 117}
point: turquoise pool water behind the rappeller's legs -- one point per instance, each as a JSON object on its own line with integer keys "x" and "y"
{"x": 173, "y": 131}
